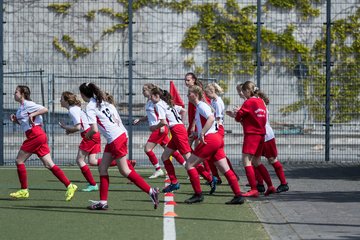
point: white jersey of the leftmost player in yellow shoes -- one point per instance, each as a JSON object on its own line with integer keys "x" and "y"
{"x": 22, "y": 115}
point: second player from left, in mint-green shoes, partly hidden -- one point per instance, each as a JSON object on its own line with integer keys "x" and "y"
{"x": 88, "y": 148}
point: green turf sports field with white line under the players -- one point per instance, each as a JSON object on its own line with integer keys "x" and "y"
{"x": 46, "y": 214}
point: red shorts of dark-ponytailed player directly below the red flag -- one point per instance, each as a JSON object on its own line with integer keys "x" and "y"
{"x": 179, "y": 139}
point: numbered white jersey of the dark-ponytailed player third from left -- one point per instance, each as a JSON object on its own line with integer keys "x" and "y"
{"x": 107, "y": 118}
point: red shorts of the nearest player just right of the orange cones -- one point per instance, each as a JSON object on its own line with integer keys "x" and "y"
{"x": 213, "y": 149}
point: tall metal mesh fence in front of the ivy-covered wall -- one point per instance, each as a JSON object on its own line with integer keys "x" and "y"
{"x": 89, "y": 42}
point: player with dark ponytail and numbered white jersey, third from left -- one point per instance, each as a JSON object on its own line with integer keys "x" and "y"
{"x": 103, "y": 116}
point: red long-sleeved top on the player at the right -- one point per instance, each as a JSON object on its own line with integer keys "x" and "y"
{"x": 252, "y": 115}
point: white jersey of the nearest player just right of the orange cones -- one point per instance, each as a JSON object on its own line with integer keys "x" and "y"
{"x": 203, "y": 112}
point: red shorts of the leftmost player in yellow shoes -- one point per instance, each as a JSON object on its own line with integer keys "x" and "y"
{"x": 36, "y": 142}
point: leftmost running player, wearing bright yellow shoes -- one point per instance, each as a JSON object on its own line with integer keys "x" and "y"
{"x": 28, "y": 116}
